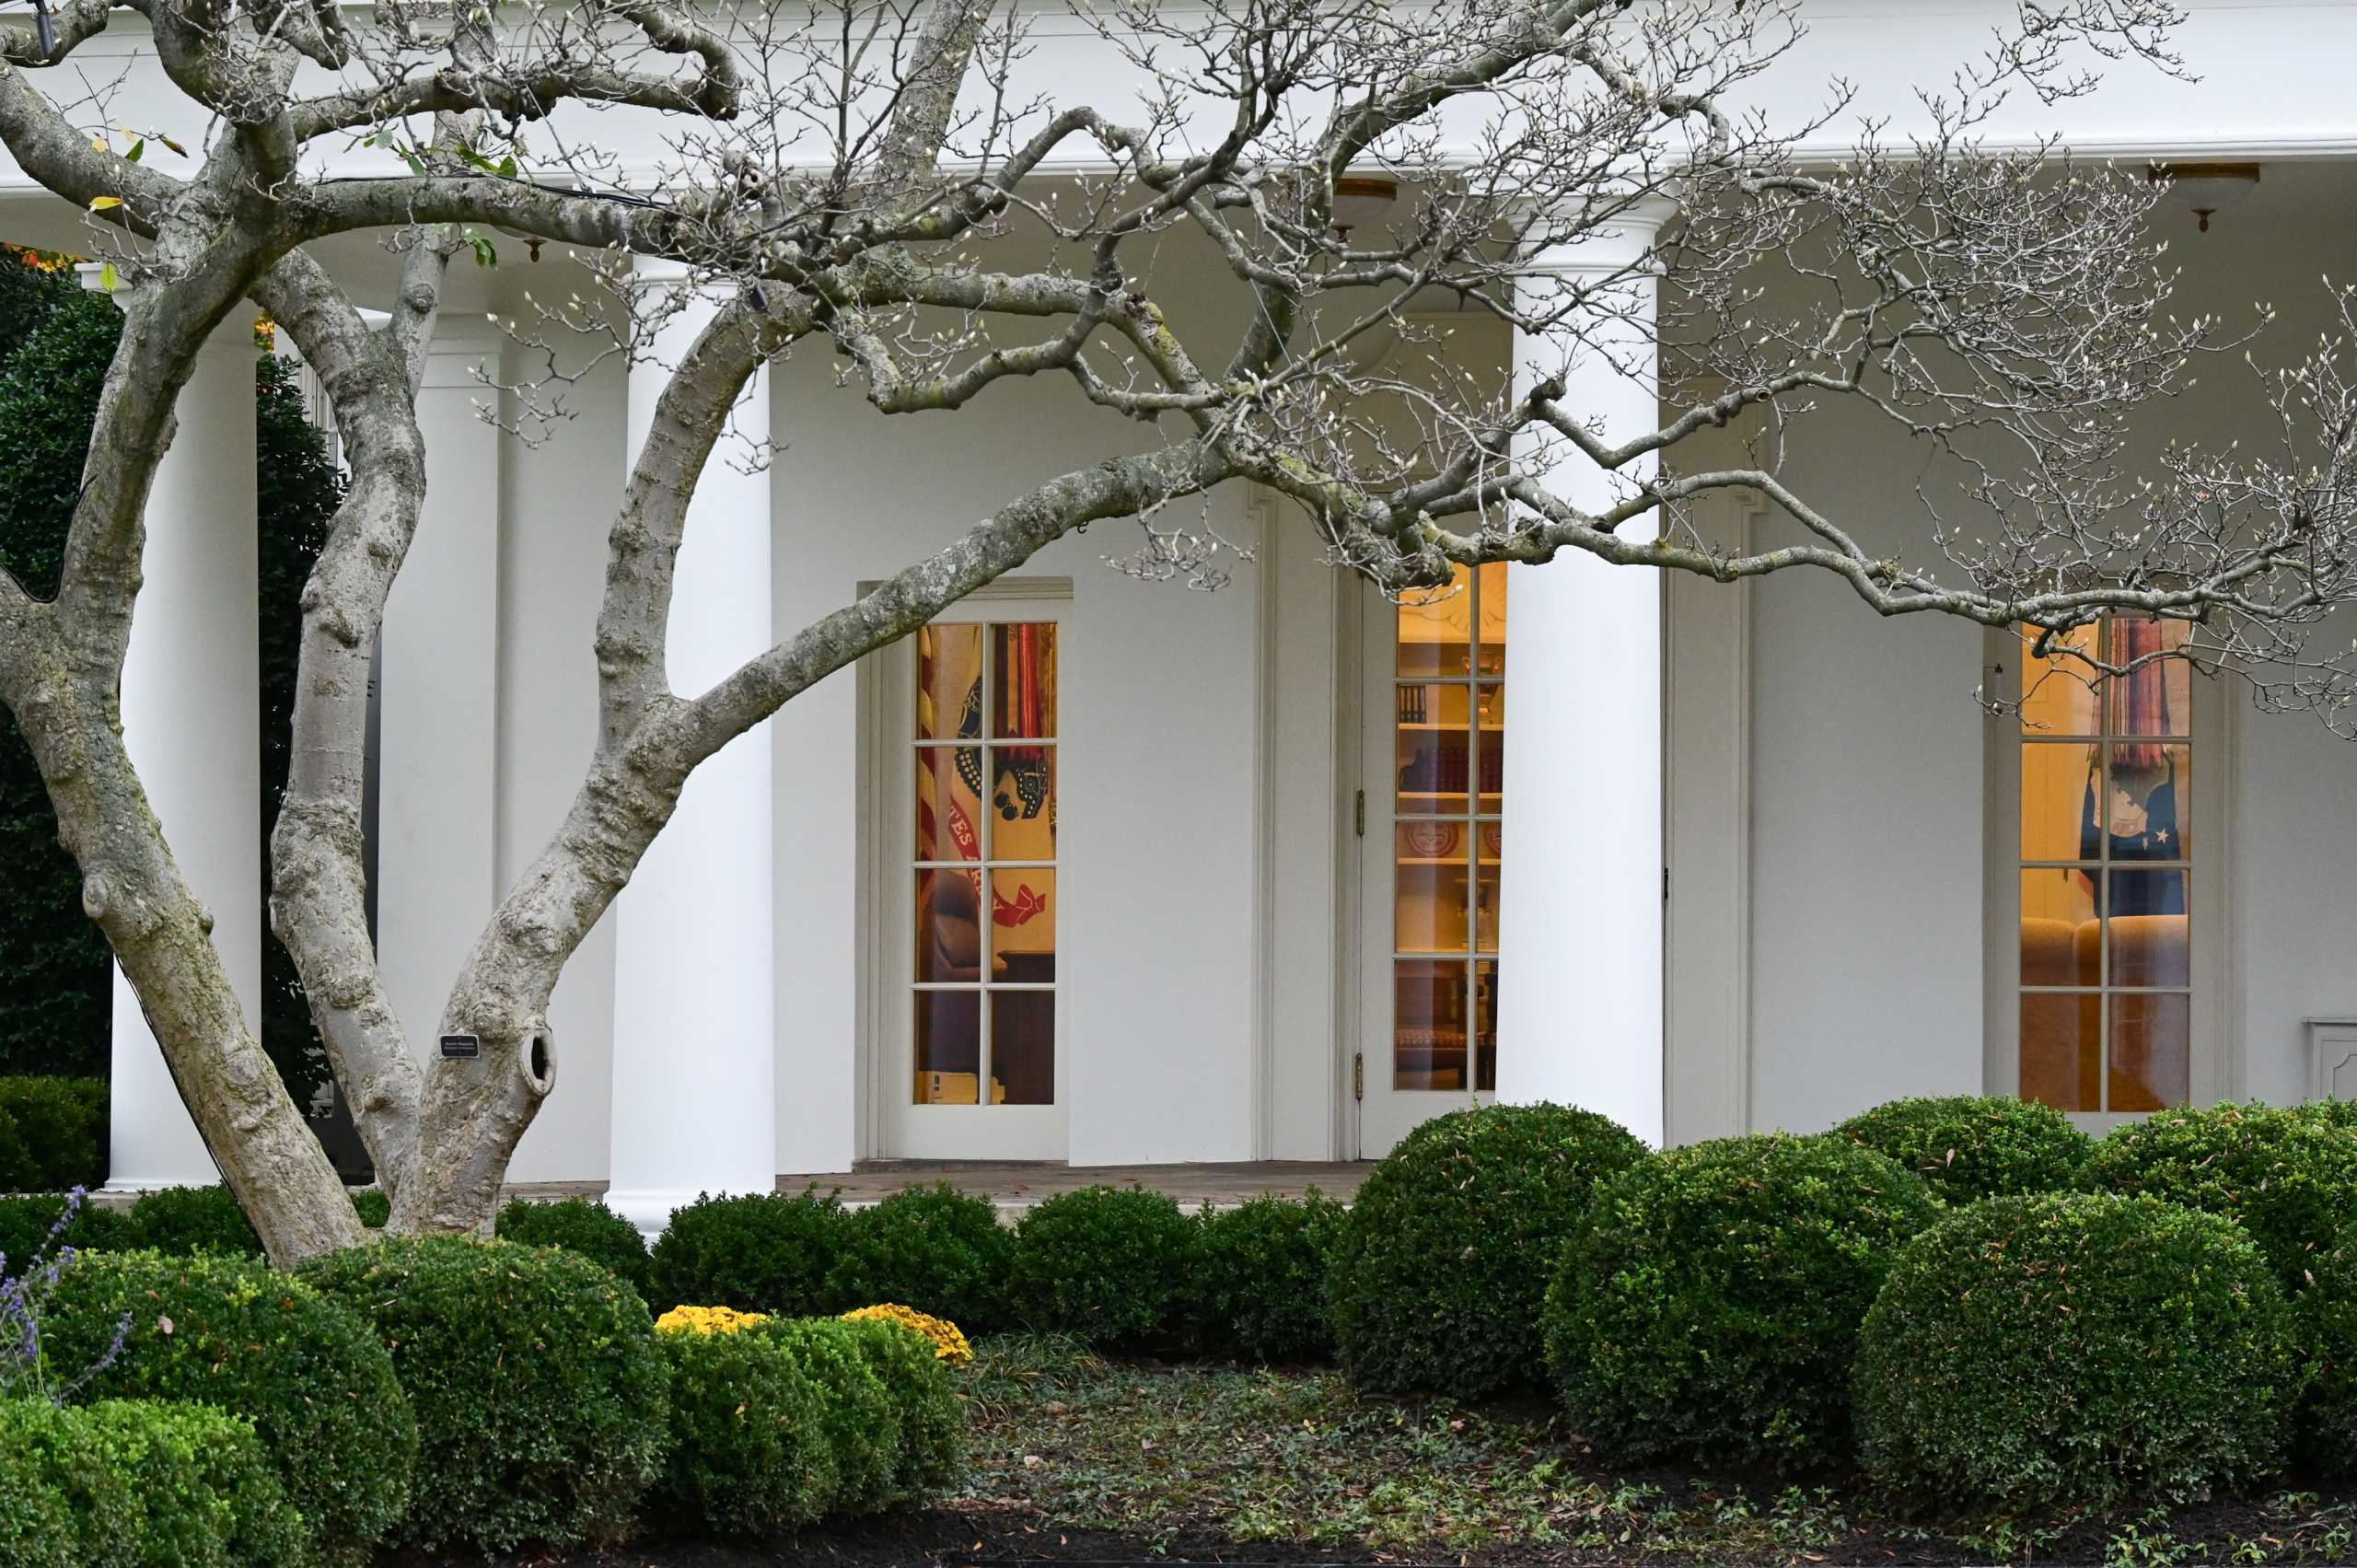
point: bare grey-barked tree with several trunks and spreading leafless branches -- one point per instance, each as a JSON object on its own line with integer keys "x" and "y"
{"x": 859, "y": 176}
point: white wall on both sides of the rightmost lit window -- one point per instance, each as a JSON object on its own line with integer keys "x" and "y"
{"x": 1868, "y": 756}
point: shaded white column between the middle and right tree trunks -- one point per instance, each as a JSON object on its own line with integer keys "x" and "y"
{"x": 437, "y": 765}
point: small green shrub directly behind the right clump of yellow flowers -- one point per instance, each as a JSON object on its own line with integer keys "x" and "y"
{"x": 930, "y": 1249}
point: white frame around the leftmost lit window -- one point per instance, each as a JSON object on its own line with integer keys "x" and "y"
{"x": 892, "y": 1124}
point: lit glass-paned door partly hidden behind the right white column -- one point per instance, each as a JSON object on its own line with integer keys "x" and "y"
{"x": 1432, "y": 819}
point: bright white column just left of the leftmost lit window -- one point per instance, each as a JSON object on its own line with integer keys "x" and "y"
{"x": 694, "y": 994}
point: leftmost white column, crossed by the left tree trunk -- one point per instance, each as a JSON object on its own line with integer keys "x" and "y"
{"x": 192, "y": 723}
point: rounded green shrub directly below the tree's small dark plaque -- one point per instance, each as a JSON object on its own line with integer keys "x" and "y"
{"x": 536, "y": 1378}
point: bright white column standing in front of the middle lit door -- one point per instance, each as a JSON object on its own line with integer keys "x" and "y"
{"x": 1580, "y": 897}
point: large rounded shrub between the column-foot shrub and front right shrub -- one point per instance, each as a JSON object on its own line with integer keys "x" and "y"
{"x": 1708, "y": 1305}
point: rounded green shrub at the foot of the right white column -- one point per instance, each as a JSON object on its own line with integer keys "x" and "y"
{"x": 1451, "y": 1241}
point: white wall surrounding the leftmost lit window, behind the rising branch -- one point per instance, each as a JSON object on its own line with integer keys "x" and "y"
{"x": 1156, "y": 770}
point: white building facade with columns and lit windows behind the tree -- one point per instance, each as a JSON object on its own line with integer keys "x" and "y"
{"x": 1104, "y": 871}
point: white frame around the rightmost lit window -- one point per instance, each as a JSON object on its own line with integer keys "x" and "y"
{"x": 2217, "y": 1055}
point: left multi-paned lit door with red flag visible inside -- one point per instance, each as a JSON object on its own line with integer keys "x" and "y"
{"x": 972, "y": 1058}
